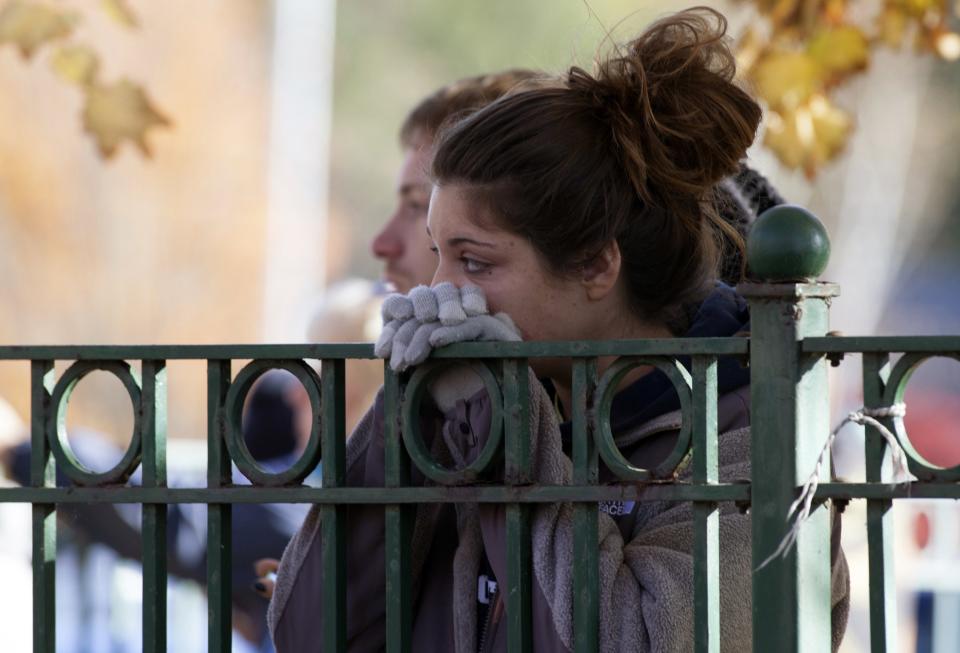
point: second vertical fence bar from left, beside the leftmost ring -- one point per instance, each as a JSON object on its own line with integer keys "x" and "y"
{"x": 153, "y": 410}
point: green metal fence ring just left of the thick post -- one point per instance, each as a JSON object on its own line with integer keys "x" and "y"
{"x": 606, "y": 443}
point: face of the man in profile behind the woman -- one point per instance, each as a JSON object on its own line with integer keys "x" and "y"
{"x": 403, "y": 244}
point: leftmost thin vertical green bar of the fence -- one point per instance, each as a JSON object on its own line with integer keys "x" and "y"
{"x": 42, "y": 474}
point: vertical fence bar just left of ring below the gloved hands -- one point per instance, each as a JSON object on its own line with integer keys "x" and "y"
{"x": 398, "y": 522}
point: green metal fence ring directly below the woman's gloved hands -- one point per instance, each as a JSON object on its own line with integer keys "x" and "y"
{"x": 413, "y": 438}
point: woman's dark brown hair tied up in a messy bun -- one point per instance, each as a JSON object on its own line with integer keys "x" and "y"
{"x": 632, "y": 153}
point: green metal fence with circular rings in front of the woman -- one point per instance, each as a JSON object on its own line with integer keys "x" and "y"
{"x": 788, "y": 353}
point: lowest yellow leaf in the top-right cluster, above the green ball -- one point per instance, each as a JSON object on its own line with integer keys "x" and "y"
{"x": 809, "y": 136}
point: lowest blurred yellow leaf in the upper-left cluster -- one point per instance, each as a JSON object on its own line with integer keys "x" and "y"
{"x": 117, "y": 112}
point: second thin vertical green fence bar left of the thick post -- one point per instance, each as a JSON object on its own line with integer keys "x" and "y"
{"x": 586, "y": 545}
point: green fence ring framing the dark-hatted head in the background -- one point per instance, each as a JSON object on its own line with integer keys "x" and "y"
{"x": 236, "y": 397}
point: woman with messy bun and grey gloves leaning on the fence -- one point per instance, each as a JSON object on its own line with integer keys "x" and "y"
{"x": 581, "y": 210}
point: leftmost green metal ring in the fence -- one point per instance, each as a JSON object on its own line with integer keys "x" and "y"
{"x": 67, "y": 460}
